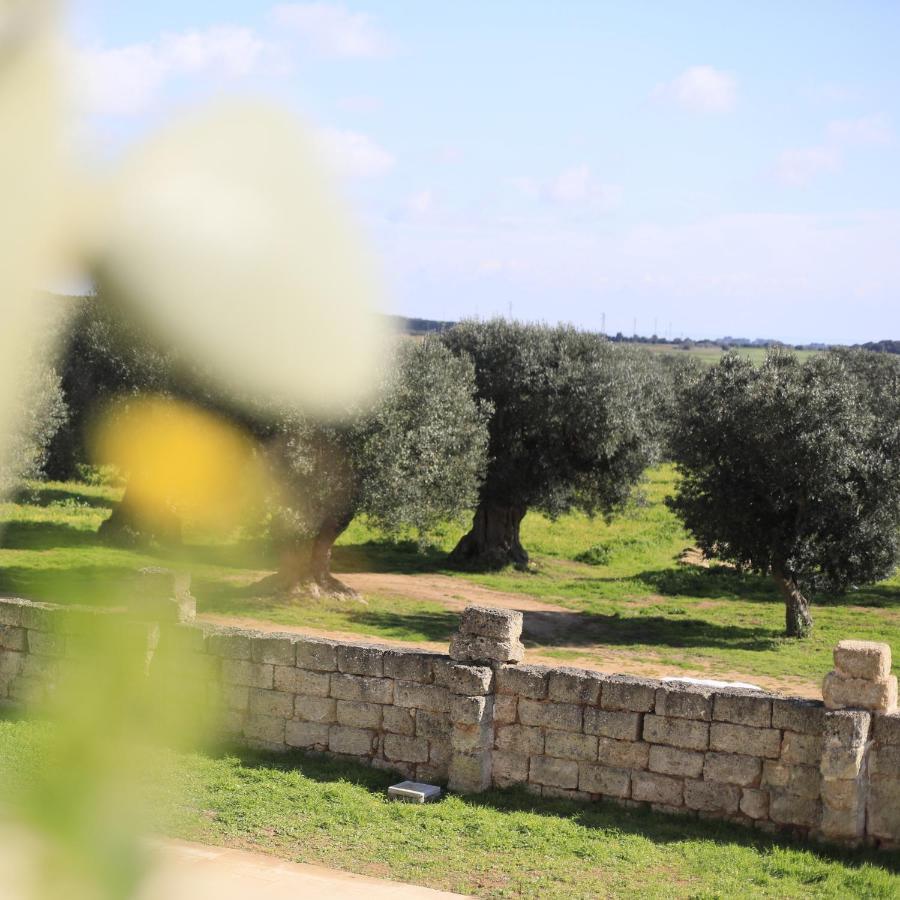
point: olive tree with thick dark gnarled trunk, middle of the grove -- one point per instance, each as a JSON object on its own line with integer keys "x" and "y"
{"x": 574, "y": 425}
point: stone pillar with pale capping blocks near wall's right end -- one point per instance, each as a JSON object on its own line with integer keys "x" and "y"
{"x": 860, "y": 684}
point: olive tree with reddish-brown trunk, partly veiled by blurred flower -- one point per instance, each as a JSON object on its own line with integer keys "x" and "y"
{"x": 414, "y": 460}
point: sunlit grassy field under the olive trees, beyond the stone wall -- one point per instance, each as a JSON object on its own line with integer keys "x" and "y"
{"x": 619, "y": 589}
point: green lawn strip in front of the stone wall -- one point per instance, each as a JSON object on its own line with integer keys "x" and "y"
{"x": 501, "y": 844}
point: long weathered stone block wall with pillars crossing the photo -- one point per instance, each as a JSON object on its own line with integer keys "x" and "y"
{"x": 479, "y": 718}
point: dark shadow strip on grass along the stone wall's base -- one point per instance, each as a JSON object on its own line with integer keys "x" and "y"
{"x": 600, "y": 815}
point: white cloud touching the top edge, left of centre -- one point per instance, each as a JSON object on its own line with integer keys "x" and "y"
{"x": 333, "y": 30}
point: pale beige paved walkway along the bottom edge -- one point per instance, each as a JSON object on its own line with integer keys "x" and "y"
{"x": 189, "y": 871}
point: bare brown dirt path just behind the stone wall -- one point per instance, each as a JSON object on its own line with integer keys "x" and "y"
{"x": 557, "y": 631}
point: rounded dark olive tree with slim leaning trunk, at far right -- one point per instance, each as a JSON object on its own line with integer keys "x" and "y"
{"x": 792, "y": 470}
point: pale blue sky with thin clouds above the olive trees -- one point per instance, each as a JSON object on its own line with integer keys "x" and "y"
{"x": 697, "y": 169}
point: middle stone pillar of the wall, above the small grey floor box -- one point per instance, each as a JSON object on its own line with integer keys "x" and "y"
{"x": 487, "y": 638}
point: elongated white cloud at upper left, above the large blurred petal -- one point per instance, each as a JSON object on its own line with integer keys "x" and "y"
{"x": 126, "y": 80}
